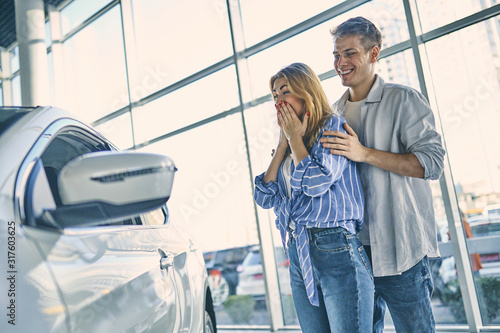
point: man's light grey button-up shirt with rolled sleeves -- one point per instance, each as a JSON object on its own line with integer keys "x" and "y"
{"x": 399, "y": 213}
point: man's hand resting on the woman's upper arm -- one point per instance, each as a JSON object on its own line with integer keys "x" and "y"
{"x": 343, "y": 144}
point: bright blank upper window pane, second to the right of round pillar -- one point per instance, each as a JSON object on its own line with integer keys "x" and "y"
{"x": 187, "y": 37}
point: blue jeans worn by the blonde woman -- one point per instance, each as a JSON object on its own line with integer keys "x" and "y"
{"x": 344, "y": 279}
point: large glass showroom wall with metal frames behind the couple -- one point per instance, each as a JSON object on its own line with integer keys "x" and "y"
{"x": 169, "y": 83}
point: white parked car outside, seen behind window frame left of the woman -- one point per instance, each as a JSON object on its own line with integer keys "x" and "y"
{"x": 251, "y": 274}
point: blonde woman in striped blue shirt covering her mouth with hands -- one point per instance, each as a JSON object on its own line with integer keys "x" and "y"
{"x": 318, "y": 200}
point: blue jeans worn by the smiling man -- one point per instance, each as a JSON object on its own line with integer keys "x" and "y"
{"x": 408, "y": 297}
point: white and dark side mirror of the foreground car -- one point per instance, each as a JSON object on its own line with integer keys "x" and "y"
{"x": 107, "y": 186}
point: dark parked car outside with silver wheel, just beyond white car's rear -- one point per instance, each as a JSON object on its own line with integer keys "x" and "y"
{"x": 222, "y": 275}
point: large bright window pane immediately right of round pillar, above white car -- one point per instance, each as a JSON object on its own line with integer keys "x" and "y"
{"x": 96, "y": 82}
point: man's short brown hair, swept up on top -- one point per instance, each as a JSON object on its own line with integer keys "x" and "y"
{"x": 359, "y": 26}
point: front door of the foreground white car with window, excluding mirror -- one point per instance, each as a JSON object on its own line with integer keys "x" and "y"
{"x": 115, "y": 277}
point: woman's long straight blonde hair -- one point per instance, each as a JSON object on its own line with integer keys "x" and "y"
{"x": 305, "y": 84}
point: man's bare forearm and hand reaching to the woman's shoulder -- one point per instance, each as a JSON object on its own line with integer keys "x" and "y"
{"x": 348, "y": 145}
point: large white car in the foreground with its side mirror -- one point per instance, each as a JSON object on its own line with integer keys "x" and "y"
{"x": 86, "y": 244}
